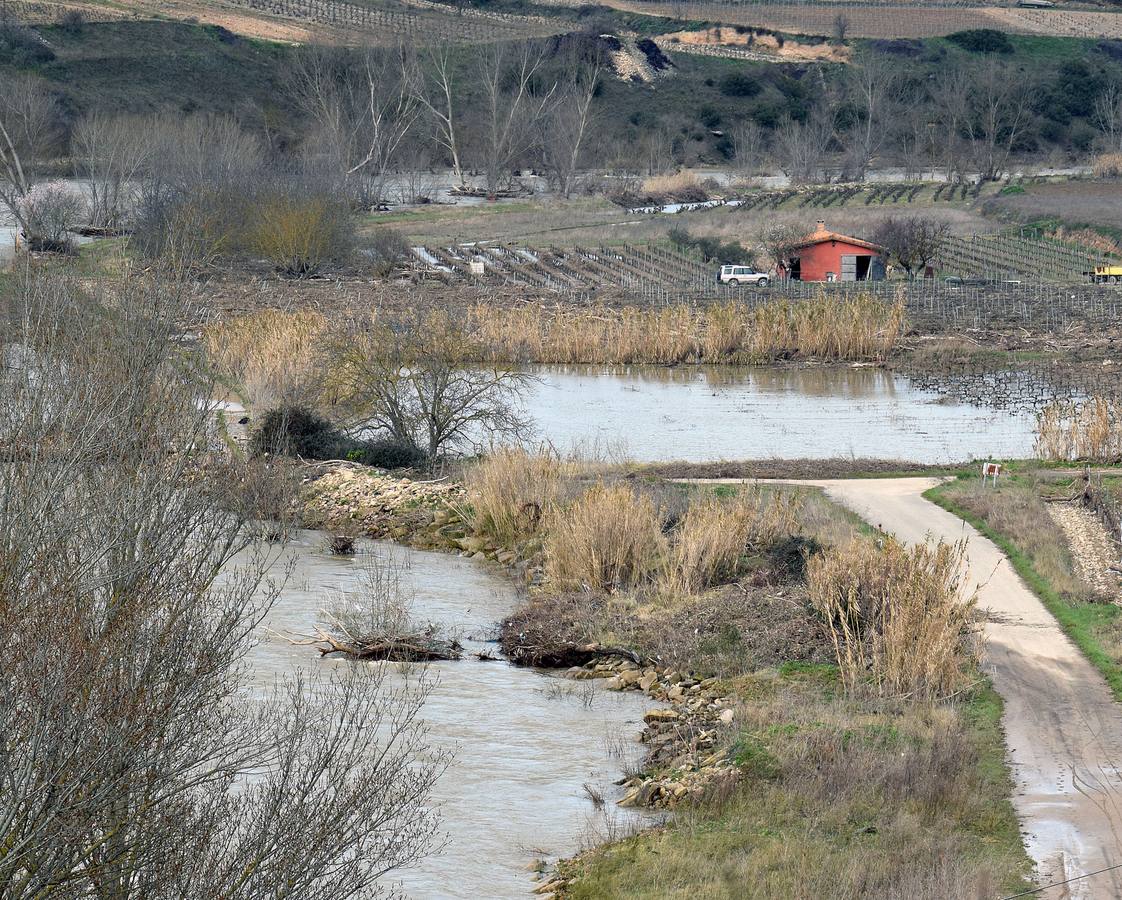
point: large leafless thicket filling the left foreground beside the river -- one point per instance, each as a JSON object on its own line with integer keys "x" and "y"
{"x": 134, "y": 758}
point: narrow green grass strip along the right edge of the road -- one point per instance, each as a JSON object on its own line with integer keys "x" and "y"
{"x": 1077, "y": 620}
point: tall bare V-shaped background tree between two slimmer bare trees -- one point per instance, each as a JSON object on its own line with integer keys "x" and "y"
{"x": 514, "y": 105}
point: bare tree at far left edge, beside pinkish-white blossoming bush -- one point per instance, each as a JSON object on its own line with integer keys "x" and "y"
{"x": 29, "y": 137}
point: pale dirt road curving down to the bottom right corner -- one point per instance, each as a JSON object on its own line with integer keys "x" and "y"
{"x": 1063, "y": 728}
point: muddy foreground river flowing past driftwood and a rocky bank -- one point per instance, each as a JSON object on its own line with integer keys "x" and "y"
{"x": 526, "y": 742}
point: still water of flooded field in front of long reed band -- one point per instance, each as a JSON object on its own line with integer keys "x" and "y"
{"x": 694, "y": 415}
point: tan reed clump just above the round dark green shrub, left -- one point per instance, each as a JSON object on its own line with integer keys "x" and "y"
{"x": 271, "y": 354}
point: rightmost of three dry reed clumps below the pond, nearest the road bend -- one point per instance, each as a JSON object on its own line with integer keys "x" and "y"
{"x": 711, "y": 543}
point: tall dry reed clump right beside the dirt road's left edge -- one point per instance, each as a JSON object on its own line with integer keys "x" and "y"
{"x": 899, "y": 618}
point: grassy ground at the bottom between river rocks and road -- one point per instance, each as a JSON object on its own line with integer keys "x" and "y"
{"x": 836, "y": 800}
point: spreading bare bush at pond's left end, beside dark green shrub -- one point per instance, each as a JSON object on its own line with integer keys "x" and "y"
{"x": 420, "y": 382}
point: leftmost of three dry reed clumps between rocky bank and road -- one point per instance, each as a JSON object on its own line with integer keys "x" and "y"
{"x": 512, "y": 490}
